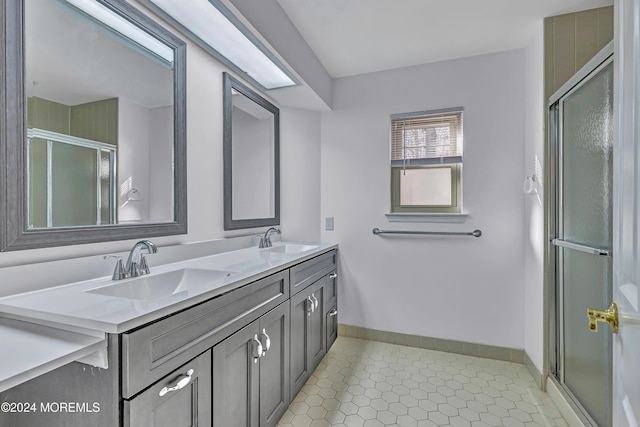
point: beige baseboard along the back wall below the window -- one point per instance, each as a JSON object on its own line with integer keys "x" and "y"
{"x": 459, "y": 347}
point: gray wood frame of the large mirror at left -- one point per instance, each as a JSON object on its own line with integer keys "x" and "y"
{"x": 14, "y": 232}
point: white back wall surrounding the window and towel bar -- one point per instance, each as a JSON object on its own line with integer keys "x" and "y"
{"x": 458, "y": 288}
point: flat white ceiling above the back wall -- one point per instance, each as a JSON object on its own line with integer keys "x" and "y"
{"x": 352, "y": 37}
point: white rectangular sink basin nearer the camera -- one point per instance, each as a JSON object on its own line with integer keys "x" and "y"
{"x": 161, "y": 285}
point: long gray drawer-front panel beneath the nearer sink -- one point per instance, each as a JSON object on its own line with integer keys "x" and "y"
{"x": 151, "y": 352}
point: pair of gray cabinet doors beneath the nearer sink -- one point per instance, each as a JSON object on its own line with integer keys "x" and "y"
{"x": 251, "y": 380}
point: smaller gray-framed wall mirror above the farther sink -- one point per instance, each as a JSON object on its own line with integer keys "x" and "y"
{"x": 251, "y": 149}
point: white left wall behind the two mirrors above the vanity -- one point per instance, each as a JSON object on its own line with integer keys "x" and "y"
{"x": 300, "y": 180}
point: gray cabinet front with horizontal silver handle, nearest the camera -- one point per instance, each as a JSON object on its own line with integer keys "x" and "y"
{"x": 182, "y": 398}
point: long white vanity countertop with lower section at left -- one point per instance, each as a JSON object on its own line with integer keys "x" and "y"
{"x": 43, "y": 330}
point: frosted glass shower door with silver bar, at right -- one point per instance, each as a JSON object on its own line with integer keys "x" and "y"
{"x": 584, "y": 240}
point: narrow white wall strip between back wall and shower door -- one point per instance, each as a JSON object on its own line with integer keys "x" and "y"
{"x": 534, "y": 210}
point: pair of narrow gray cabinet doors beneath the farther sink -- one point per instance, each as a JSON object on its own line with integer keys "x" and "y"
{"x": 307, "y": 333}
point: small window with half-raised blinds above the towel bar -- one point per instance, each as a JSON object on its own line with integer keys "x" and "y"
{"x": 426, "y": 161}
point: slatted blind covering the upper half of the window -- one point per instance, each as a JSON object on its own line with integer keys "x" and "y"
{"x": 426, "y": 138}
